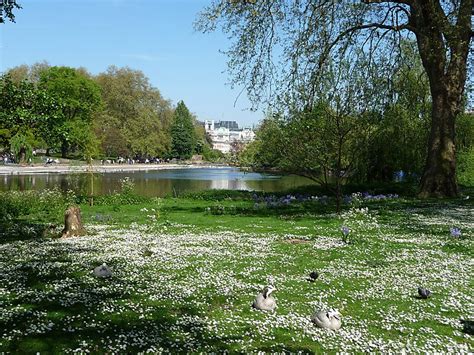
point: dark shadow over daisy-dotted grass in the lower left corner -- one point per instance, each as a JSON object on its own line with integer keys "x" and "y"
{"x": 53, "y": 307}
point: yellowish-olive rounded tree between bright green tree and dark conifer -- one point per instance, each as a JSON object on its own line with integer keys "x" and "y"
{"x": 136, "y": 118}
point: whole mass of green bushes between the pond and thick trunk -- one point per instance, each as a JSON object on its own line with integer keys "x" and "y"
{"x": 344, "y": 133}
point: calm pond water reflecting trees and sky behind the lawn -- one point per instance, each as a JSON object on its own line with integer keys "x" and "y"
{"x": 157, "y": 182}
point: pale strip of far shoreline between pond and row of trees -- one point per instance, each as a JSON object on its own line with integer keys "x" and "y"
{"x": 110, "y": 168}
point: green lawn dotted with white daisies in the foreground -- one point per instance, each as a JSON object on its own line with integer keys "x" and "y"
{"x": 186, "y": 270}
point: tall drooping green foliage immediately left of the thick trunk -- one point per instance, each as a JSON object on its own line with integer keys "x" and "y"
{"x": 404, "y": 122}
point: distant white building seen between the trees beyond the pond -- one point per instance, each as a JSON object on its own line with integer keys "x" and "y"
{"x": 223, "y": 133}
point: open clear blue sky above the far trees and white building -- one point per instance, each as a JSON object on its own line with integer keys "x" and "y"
{"x": 155, "y": 36}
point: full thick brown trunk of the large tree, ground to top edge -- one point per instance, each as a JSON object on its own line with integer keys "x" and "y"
{"x": 444, "y": 49}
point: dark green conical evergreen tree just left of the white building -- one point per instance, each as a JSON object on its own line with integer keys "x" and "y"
{"x": 183, "y": 138}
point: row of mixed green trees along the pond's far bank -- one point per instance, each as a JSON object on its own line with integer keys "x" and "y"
{"x": 116, "y": 113}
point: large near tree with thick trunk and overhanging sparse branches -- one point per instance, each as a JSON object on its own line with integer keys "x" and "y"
{"x": 285, "y": 45}
